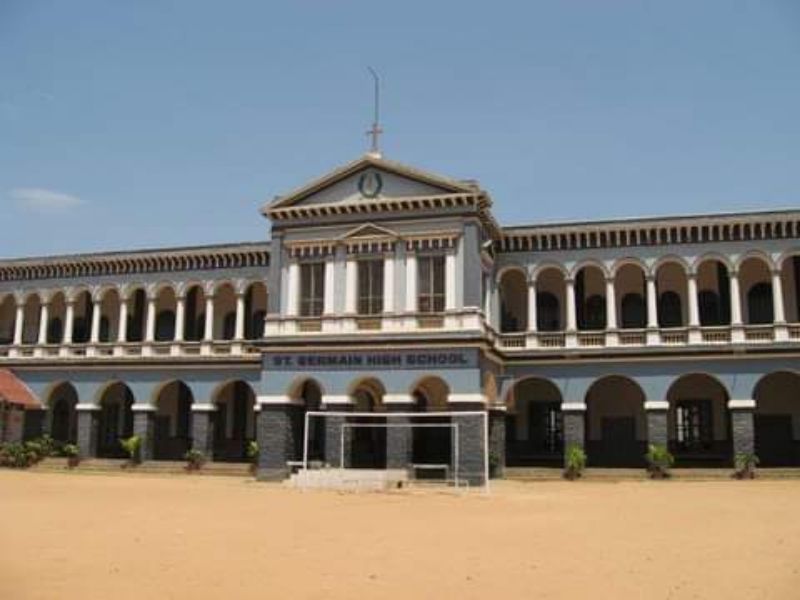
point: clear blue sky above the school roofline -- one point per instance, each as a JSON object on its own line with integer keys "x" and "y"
{"x": 161, "y": 123}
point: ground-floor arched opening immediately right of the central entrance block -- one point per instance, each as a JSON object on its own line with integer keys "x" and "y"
{"x": 534, "y": 424}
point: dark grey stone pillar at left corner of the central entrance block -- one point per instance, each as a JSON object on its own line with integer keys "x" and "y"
{"x": 279, "y": 439}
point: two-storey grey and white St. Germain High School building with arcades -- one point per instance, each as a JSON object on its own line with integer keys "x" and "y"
{"x": 386, "y": 288}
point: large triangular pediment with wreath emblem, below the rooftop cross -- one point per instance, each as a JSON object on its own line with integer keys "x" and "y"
{"x": 370, "y": 178}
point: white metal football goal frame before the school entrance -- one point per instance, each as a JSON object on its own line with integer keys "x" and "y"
{"x": 453, "y": 426}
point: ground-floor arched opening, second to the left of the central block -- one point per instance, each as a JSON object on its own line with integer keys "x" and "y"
{"x": 172, "y": 421}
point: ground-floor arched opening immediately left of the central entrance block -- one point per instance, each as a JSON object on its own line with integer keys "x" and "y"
{"x": 234, "y": 421}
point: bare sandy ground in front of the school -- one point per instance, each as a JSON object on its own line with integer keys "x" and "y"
{"x": 77, "y": 536}
